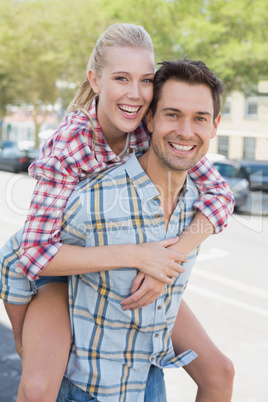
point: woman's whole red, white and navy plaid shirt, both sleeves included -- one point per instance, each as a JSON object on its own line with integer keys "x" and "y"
{"x": 71, "y": 154}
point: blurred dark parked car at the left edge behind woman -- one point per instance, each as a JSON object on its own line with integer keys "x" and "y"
{"x": 14, "y": 160}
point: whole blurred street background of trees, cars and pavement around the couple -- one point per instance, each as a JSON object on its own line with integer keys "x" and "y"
{"x": 44, "y": 49}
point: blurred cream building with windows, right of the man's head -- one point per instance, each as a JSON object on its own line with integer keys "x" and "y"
{"x": 243, "y": 131}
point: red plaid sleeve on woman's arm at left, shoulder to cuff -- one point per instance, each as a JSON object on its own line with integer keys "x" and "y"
{"x": 65, "y": 159}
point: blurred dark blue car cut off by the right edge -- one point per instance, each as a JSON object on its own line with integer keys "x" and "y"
{"x": 258, "y": 174}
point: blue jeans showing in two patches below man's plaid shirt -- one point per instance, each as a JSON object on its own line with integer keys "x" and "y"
{"x": 155, "y": 390}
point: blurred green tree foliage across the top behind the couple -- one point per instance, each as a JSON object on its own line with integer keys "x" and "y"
{"x": 43, "y": 42}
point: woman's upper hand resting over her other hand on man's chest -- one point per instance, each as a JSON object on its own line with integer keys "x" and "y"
{"x": 159, "y": 262}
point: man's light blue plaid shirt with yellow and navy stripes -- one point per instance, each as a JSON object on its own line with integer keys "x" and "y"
{"x": 112, "y": 349}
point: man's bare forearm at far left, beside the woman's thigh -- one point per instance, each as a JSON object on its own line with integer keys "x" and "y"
{"x": 16, "y": 314}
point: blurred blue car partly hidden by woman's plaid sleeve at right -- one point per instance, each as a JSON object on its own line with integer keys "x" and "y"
{"x": 237, "y": 178}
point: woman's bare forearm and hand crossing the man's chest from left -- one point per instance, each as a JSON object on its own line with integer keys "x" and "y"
{"x": 154, "y": 259}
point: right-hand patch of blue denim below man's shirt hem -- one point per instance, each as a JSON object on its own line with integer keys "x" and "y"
{"x": 155, "y": 390}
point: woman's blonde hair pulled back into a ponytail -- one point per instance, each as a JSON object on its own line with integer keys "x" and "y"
{"x": 117, "y": 35}
